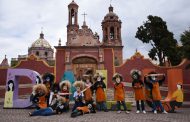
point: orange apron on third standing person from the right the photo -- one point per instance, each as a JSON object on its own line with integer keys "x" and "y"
{"x": 119, "y": 94}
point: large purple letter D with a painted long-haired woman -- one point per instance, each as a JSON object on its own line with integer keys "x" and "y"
{"x": 12, "y": 87}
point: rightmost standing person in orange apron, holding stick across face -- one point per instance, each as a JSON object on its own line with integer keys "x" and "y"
{"x": 155, "y": 91}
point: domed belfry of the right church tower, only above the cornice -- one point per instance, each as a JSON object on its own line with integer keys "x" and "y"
{"x": 111, "y": 26}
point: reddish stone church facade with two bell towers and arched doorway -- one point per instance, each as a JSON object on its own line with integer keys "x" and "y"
{"x": 84, "y": 52}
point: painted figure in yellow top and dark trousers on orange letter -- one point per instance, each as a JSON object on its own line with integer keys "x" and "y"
{"x": 177, "y": 98}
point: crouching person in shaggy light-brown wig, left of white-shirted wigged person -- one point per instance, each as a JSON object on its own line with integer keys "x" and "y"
{"x": 65, "y": 91}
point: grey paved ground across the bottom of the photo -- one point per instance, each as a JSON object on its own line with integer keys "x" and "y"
{"x": 21, "y": 115}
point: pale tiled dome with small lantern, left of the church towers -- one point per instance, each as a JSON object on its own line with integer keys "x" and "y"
{"x": 41, "y": 42}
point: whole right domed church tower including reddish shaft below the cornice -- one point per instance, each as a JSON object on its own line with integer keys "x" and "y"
{"x": 111, "y": 27}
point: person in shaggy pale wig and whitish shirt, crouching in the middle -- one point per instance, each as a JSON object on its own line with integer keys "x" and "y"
{"x": 78, "y": 94}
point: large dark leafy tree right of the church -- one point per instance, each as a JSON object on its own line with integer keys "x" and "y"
{"x": 155, "y": 32}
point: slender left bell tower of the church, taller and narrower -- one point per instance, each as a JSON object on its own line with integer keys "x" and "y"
{"x": 72, "y": 27}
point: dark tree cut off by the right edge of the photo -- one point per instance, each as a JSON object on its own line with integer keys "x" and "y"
{"x": 185, "y": 41}
